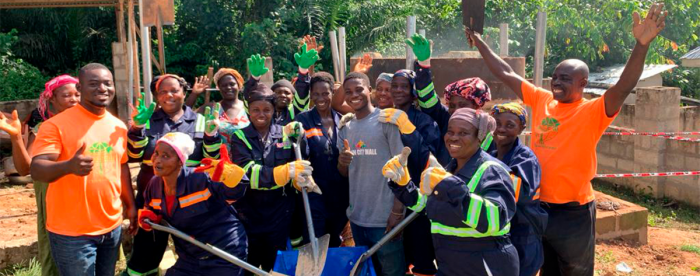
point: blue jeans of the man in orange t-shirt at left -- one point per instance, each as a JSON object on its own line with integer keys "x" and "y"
{"x": 86, "y": 255}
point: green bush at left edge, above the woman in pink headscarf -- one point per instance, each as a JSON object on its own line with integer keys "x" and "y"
{"x": 18, "y": 79}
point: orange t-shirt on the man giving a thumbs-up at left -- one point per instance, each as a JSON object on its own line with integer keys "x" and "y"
{"x": 84, "y": 205}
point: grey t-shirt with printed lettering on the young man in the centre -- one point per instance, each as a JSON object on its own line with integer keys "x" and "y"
{"x": 372, "y": 143}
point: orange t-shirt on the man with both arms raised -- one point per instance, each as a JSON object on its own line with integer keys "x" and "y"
{"x": 564, "y": 139}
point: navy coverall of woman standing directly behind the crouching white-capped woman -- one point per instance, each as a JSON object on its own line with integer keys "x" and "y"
{"x": 148, "y": 248}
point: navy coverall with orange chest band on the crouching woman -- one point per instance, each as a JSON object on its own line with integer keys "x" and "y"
{"x": 201, "y": 210}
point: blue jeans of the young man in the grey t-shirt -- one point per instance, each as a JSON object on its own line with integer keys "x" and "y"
{"x": 389, "y": 259}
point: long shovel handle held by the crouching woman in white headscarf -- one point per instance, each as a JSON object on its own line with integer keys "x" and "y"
{"x": 211, "y": 249}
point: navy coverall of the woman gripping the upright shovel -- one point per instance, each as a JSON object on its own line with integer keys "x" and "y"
{"x": 266, "y": 209}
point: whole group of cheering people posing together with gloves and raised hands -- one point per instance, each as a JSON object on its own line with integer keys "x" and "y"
{"x": 227, "y": 175}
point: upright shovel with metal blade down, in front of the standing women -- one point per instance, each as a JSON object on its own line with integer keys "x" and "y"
{"x": 312, "y": 257}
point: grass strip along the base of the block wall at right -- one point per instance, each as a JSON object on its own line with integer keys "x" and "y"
{"x": 663, "y": 212}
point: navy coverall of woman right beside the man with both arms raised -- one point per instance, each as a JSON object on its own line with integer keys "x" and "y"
{"x": 530, "y": 220}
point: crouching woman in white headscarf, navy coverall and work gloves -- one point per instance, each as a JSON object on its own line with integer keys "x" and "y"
{"x": 195, "y": 204}
